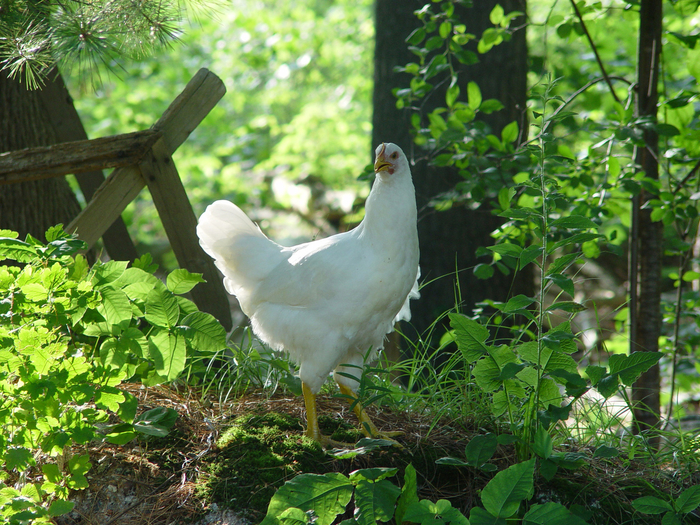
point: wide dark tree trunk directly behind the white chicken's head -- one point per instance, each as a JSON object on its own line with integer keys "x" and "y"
{"x": 448, "y": 239}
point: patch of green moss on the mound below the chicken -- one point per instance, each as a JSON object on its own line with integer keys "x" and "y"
{"x": 257, "y": 454}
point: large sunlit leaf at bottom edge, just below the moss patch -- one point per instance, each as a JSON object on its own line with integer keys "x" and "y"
{"x": 327, "y": 495}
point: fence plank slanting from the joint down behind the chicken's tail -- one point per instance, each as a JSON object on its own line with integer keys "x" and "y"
{"x": 180, "y": 225}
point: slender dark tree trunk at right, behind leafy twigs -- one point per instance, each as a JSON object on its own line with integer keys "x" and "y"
{"x": 646, "y": 326}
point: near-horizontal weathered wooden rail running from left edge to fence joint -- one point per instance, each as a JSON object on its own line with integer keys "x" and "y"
{"x": 76, "y": 157}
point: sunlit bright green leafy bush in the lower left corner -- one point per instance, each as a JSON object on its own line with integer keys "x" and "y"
{"x": 70, "y": 335}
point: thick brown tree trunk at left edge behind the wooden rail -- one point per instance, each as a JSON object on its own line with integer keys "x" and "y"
{"x": 30, "y": 207}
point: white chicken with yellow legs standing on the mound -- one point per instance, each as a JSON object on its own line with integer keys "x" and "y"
{"x": 326, "y": 302}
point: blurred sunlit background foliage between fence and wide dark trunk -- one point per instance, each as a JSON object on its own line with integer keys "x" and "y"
{"x": 292, "y": 132}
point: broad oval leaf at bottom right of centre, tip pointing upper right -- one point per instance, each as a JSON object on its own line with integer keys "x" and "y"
{"x": 502, "y": 495}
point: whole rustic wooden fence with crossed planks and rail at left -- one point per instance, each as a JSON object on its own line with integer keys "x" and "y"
{"x": 139, "y": 159}
